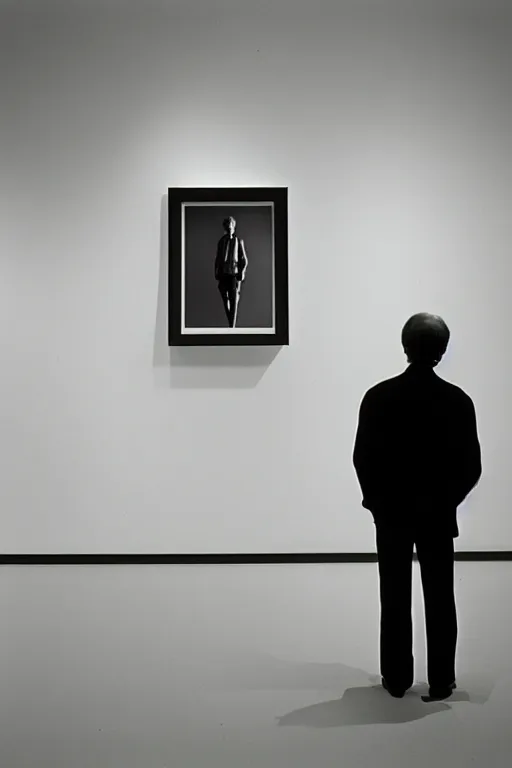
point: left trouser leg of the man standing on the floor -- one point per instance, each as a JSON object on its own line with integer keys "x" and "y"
{"x": 394, "y": 549}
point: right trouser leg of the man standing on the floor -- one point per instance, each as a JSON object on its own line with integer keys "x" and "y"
{"x": 436, "y": 558}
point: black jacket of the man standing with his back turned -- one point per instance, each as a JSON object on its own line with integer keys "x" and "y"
{"x": 417, "y": 454}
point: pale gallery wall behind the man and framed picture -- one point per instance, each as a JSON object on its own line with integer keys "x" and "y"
{"x": 391, "y": 125}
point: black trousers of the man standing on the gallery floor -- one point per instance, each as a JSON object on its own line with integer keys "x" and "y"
{"x": 435, "y": 552}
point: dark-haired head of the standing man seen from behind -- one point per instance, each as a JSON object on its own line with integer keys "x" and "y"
{"x": 425, "y": 338}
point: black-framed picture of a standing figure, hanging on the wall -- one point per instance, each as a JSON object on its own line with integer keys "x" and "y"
{"x": 228, "y": 266}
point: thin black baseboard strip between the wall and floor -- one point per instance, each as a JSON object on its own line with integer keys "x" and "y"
{"x": 226, "y": 559}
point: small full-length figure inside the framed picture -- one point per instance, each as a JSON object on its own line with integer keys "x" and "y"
{"x": 230, "y": 268}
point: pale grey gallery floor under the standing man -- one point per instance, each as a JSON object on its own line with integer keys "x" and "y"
{"x": 239, "y": 667}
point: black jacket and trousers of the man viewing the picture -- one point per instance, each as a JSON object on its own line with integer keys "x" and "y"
{"x": 417, "y": 456}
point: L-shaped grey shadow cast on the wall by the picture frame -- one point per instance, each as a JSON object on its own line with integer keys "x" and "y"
{"x": 223, "y": 367}
